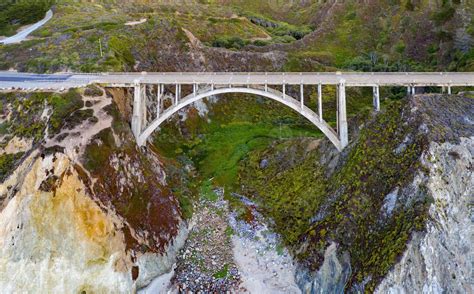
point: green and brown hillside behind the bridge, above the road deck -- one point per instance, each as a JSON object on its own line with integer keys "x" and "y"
{"x": 311, "y": 36}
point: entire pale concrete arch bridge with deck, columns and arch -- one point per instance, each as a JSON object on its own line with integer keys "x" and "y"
{"x": 200, "y": 85}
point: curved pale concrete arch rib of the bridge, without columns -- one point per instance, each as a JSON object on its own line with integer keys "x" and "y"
{"x": 268, "y": 93}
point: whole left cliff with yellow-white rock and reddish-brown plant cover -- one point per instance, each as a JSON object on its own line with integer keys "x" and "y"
{"x": 81, "y": 208}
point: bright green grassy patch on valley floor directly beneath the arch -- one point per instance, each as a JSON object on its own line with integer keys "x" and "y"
{"x": 230, "y": 136}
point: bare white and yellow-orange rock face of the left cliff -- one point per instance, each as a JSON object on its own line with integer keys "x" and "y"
{"x": 58, "y": 229}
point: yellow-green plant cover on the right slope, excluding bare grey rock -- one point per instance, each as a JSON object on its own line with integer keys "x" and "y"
{"x": 292, "y": 187}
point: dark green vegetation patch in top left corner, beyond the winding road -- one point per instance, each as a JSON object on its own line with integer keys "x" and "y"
{"x": 14, "y": 14}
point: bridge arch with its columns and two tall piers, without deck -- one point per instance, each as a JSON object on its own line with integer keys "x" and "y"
{"x": 145, "y": 122}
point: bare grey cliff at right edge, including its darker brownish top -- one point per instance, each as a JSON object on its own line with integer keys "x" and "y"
{"x": 440, "y": 258}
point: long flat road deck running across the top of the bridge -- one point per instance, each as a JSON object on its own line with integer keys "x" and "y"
{"x": 62, "y": 81}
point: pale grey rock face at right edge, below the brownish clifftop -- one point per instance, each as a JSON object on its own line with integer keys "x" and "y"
{"x": 440, "y": 260}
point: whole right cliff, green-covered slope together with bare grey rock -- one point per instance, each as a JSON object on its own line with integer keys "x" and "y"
{"x": 394, "y": 204}
